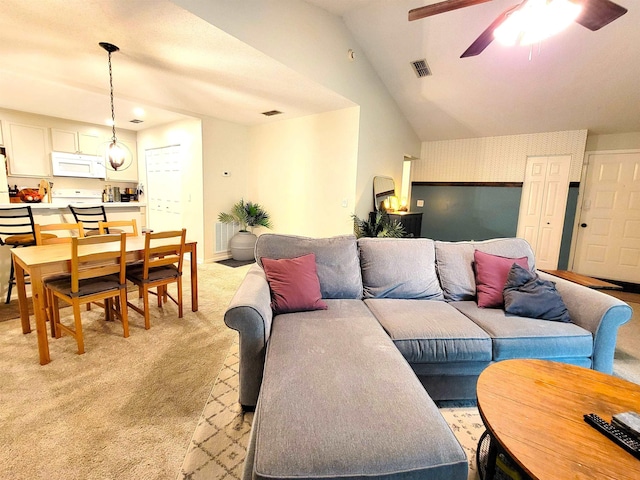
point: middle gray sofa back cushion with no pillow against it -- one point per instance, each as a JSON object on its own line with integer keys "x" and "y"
{"x": 399, "y": 268}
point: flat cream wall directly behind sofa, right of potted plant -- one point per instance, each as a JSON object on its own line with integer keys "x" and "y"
{"x": 303, "y": 172}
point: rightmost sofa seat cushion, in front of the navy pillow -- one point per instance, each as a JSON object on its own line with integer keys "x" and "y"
{"x": 520, "y": 337}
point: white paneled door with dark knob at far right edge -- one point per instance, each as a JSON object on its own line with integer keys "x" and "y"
{"x": 608, "y": 240}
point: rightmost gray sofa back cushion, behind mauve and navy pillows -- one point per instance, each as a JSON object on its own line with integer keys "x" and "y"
{"x": 454, "y": 262}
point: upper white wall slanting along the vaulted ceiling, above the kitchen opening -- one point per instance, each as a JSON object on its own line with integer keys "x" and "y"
{"x": 315, "y": 43}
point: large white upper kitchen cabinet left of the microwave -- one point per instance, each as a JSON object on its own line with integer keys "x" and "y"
{"x": 28, "y": 150}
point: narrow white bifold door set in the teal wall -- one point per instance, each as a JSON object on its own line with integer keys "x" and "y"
{"x": 543, "y": 205}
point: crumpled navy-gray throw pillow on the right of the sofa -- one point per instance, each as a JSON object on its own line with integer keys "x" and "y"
{"x": 527, "y": 295}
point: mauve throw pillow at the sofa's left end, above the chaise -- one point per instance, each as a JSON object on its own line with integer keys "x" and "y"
{"x": 294, "y": 284}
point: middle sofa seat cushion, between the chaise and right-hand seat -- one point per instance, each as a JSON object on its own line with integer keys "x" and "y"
{"x": 427, "y": 331}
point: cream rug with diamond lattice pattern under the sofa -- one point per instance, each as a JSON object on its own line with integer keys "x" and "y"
{"x": 219, "y": 444}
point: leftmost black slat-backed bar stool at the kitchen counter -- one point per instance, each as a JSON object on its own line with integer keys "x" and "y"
{"x": 17, "y": 230}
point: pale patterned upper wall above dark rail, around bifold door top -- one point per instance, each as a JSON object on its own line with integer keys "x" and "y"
{"x": 495, "y": 159}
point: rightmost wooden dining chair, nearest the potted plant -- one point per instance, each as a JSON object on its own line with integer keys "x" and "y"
{"x": 161, "y": 266}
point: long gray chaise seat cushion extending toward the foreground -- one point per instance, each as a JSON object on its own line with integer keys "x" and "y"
{"x": 339, "y": 401}
